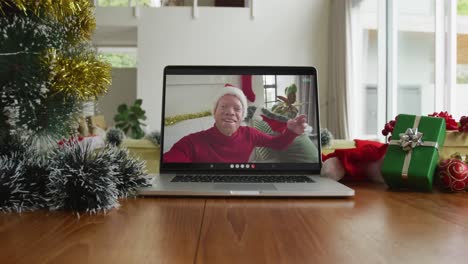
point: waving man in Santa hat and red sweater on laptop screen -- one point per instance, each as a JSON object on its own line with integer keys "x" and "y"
{"x": 227, "y": 140}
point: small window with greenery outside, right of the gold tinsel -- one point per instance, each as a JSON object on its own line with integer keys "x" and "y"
{"x": 119, "y": 57}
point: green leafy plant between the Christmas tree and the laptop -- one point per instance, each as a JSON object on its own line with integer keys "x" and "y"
{"x": 128, "y": 119}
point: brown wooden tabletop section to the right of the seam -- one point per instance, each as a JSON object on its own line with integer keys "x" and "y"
{"x": 376, "y": 226}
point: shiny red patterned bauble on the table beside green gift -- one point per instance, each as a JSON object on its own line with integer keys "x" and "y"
{"x": 453, "y": 174}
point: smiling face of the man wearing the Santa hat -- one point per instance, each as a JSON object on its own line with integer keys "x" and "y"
{"x": 228, "y": 114}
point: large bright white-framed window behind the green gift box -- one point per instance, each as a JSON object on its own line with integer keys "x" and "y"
{"x": 407, "y": 57}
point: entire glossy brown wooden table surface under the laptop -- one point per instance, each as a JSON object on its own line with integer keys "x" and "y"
{"x": 376, "y": 226}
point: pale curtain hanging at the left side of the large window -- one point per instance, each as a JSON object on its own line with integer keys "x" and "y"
{"x": 339, "y": 70}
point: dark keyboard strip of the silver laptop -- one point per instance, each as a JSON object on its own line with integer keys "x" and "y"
{"x": 242, "y": 179}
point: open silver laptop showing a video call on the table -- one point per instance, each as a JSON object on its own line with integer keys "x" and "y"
{"x": 210, "y": 146}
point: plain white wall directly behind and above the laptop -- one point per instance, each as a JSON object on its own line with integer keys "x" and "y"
{"x": 282, "y": 33}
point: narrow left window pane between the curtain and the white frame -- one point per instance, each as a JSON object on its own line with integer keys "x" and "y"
{"x": 367, "y": 105}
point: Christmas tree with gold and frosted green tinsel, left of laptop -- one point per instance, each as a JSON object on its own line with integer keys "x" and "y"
{"x": 48, "y": 69}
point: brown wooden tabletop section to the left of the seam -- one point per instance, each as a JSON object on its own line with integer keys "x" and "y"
{"x": 143, "y": 230}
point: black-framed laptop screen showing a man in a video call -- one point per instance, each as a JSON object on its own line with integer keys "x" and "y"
{"x": 234, "y": 118}
